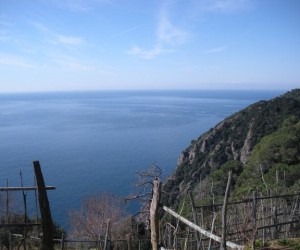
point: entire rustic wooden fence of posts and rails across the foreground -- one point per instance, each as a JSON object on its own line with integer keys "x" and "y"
{"x": 230, "y": 224}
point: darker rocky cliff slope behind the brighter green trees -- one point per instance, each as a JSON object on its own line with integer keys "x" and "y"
{"x": 231, "y": 139}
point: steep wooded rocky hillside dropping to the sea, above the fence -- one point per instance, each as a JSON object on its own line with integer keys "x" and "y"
{"x": 261, "y": 137}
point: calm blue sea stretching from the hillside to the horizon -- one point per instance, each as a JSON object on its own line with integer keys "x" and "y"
{"x": 90, "y": 142}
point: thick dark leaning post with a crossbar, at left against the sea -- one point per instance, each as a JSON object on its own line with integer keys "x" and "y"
{"x": 47, "y": 223}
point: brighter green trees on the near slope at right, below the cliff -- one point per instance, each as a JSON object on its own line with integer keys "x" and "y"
{"x": 274, "y": 164}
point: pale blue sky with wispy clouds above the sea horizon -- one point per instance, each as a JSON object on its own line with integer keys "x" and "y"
{"x": 58, "y": 45}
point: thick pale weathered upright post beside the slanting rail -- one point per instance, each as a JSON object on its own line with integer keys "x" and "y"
{"x": 154, "y": 213}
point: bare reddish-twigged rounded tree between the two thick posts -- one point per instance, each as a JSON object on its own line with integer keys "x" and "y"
{"x": 90, "y": 222}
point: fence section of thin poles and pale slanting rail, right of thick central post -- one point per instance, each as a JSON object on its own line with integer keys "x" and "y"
{"x": 246, "y": 222}
